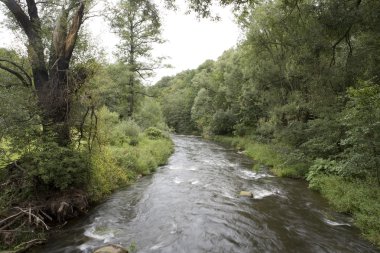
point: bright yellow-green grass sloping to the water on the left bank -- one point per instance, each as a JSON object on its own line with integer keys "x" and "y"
{"x": 116, "y": 166}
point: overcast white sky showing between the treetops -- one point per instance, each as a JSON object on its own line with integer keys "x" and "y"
{"x": 189, "y": 41}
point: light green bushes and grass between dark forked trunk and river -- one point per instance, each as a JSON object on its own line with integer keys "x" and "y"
{"x": 119, "y": 156}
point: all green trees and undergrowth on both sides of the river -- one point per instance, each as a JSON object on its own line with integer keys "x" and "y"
{"x": 300, "y": 93}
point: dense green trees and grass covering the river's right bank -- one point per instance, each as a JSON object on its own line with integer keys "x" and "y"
{"x": 301, "y": 94}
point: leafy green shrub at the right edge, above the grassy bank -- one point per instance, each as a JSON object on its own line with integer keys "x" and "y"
{"x": 361, "y": 117}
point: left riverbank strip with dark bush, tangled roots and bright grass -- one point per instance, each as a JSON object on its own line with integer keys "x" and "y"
{"x": 45, "y": 189}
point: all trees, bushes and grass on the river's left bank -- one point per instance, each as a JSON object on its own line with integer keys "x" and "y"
{"x": 73, "y": 128}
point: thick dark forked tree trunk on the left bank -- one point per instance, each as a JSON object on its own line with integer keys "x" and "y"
{"x": 52, "y": 84}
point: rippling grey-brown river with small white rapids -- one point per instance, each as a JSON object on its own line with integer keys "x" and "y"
{"x": 193, "y": 205}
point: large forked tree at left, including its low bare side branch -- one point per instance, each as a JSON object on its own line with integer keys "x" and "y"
{"x": 50, "y": 75}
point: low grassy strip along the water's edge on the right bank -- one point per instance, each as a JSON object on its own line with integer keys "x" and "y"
{"x": 359, "y": 198}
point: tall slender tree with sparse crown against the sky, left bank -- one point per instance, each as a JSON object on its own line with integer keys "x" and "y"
{"x": 138, "y": 25}
